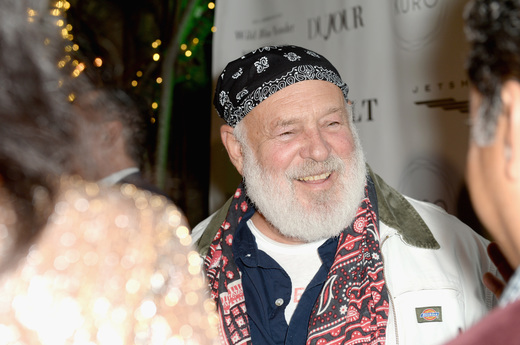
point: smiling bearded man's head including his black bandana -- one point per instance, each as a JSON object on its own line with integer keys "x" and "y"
{"x": 290, "y": 134}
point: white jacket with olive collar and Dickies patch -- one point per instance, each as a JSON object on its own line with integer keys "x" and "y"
{"x": 433, "y": 266}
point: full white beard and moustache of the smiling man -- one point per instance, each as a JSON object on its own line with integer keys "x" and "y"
{"x": 330, "y": 211}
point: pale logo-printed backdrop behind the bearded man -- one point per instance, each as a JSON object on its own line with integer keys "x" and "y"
{"x": 404, "y": 63}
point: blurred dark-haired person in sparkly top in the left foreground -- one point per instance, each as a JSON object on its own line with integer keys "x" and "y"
{"x": 79, "y": 263}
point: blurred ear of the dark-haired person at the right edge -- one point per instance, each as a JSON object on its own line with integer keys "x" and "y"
{"x": 511, "y": 109}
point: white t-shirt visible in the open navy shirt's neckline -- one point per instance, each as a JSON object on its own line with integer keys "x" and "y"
{"x": 300, "y": 262}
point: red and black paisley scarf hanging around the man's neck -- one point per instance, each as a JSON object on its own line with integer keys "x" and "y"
{"x": 352, "y": 307}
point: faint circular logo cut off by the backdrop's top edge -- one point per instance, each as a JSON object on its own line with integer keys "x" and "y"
{"x": 417, "y": 22}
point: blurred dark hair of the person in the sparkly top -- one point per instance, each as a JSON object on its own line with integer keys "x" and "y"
{"x": 36, "y": 126}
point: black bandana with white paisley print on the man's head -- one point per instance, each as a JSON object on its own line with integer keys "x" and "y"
{"x": 250, "y": 79}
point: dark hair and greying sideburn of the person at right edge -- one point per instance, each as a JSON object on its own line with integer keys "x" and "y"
{"x": 493, "y": 31}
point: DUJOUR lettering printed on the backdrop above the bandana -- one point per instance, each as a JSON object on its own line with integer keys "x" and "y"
{"x": 324, "y": 26}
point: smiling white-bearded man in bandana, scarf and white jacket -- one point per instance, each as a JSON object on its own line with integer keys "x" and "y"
{"x": 314, "y": 248}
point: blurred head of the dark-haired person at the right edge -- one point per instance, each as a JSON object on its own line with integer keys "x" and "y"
{"x": 493, "y": 167}
